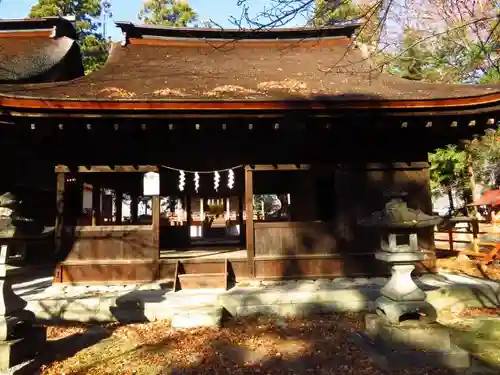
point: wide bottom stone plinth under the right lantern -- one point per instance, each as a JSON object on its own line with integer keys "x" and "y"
{"x": 411, "y": 345}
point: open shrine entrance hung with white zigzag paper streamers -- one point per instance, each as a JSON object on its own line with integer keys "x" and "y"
{"x": 203, "y": 212}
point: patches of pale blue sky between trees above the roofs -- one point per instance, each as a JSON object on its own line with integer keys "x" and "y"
{"x": 219, "y": 11}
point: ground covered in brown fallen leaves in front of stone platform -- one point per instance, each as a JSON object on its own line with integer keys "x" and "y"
{"x": 316, "y": 345}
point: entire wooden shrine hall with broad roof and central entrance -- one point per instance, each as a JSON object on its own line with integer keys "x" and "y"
{"x": 209, "y": 156}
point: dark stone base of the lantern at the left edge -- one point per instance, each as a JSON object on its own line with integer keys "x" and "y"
{"x": 16, "y": 351}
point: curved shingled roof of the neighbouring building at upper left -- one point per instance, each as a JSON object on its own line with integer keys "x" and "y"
{"x": 38, "y": 50}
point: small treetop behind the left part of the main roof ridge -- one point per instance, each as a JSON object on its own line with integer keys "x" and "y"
{"x": 174, "y": 13}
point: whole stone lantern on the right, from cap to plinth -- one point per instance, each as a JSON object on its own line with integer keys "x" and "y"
{"x": 404, "y": 331}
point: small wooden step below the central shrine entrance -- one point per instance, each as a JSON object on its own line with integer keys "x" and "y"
{"x": 213, "y": 280}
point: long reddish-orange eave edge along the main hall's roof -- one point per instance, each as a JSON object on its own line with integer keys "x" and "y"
{"x": 486, "y": 104}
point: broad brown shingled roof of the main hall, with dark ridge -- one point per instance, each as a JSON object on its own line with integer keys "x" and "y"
{"x": 158, "y": 64}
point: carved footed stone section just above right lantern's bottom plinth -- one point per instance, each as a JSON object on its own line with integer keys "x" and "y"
{"x": 395, "y": 311}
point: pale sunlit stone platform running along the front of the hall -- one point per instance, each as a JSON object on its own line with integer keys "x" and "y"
{"x": 286, "y": 298}
